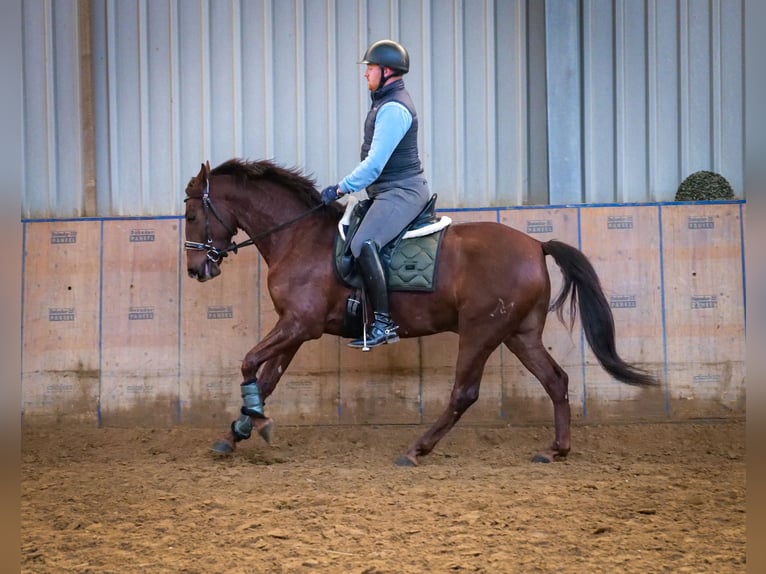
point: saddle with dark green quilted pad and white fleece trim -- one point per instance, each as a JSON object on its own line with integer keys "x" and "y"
{"x": 409, "y": 260}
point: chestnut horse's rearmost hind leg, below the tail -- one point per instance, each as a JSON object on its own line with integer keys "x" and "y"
{"x": 529, "y": 348}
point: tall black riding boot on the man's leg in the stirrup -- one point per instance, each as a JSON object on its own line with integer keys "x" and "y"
{"x": 383, "y": 329}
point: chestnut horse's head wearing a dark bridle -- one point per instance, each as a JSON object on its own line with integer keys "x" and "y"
{"x": 209, "y": 229}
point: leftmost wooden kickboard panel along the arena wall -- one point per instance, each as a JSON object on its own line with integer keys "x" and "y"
{"x": 60, "y": 349}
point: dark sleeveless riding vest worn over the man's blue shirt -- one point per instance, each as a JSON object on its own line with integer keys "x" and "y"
{"x": 405, "y": 161}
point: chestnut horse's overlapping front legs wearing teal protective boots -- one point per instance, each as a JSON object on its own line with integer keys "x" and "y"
{"x": 255, "y": 389}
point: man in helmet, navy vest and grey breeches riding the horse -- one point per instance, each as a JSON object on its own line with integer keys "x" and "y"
{"x": 391, "y": 171}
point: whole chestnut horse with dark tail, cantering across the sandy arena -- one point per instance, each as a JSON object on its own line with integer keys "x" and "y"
{"x": 492, "y": 288}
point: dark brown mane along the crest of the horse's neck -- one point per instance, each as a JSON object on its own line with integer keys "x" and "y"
{"x": 249, "y": 172}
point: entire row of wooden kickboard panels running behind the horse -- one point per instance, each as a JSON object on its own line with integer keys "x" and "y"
{"x": 104, "y": 332}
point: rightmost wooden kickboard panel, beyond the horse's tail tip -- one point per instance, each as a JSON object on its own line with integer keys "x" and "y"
{"x": 704, "y": 298}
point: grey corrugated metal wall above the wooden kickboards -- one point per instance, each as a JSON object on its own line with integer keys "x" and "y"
{"x": 522, "y": 101}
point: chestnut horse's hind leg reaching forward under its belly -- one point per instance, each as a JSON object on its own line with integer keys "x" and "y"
{"x": 465, "y": 392}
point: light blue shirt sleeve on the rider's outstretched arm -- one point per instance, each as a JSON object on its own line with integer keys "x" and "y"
{"x": 391, "y": 123}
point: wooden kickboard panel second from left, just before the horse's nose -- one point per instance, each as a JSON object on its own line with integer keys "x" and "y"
{"x": 140, "y": 340}
